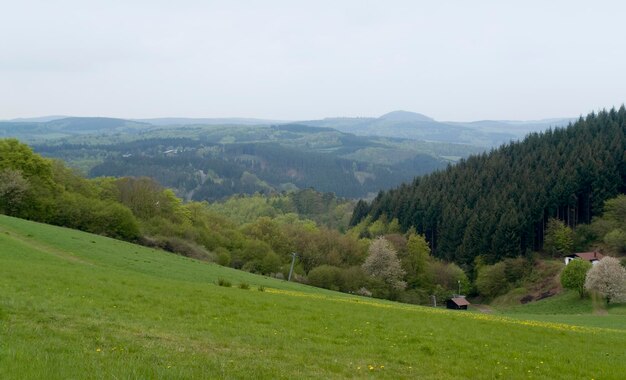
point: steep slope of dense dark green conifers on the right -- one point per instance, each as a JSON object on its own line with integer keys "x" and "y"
{"x": 497, "y": 205}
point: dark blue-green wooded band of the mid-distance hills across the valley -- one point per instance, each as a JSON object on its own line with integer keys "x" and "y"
{"x": 210, "y": 172}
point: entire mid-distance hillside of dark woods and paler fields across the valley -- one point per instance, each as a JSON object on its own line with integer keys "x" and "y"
{"x": 214, "y": 162}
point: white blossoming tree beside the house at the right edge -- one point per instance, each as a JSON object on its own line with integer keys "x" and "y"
{"x": 608, "y": 278}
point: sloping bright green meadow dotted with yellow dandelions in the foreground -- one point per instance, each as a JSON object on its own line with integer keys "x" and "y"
{"x": 75, "y": 305}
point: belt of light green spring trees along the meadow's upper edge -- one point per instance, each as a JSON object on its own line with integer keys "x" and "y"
{"x": 254, "y": 233}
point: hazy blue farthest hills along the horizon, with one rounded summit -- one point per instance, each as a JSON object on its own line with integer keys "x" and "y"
{"x": 397, "y": 124}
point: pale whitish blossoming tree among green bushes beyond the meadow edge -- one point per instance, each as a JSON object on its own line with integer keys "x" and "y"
{"x": 382, "y": 262}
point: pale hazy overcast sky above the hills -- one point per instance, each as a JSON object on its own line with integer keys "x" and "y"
{"x": 451, "y": 60}
